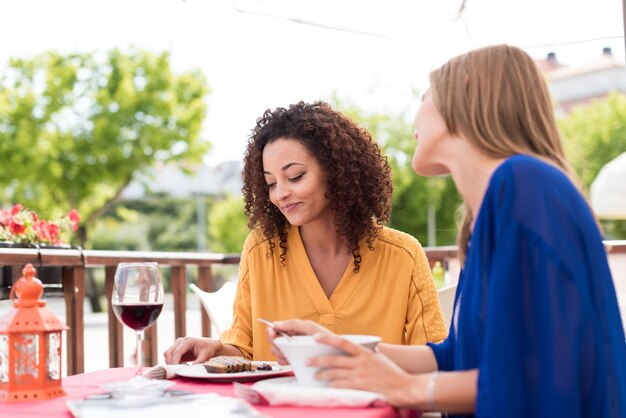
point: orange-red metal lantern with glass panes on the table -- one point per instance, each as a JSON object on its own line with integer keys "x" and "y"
{"x": 30, "y": 345}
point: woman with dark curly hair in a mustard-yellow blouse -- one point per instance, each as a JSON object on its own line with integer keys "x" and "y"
{"x": 317, "y": 192}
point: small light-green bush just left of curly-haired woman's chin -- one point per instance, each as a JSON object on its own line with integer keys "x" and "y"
{"x": 228, "y": 225}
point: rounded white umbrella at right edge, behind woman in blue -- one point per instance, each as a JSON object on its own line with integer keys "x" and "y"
{"x": 608, "y": 190}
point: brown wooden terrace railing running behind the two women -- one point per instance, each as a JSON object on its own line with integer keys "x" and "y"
{"x": 74, "y": 264}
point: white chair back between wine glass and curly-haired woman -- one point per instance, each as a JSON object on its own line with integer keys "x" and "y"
{"x": 218, "y": 305}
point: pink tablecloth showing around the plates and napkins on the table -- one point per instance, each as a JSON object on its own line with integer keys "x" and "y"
{"x": 82, "y": 385}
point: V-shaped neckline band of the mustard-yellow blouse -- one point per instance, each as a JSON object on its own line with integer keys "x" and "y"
{"x": 345, "y": 286}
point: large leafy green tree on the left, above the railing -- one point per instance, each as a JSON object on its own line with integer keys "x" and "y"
{"x": 75, "y": 129}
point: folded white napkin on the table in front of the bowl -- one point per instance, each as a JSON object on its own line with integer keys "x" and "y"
{"x": 286, "y": 391}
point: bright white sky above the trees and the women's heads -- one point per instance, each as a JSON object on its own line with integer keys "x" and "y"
{"x": 255, "y": 62}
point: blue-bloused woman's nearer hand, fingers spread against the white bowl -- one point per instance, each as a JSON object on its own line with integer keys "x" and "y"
{"x": 368, "y": 370}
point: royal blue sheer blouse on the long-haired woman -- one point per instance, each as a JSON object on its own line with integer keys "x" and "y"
{"x": 535, "y": 309}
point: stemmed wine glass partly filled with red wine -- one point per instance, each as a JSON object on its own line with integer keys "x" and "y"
{"x": 137, "y": 301}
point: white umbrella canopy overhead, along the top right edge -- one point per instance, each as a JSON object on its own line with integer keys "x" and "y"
{"x": 528, "y": 23}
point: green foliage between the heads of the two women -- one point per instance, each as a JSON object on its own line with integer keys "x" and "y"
{"x": 412, "y": 193}
